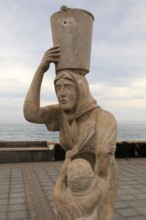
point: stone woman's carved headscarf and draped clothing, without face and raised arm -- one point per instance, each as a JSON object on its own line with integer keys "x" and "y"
{"x": 93, "y": 131}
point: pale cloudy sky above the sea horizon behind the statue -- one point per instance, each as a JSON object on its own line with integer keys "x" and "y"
{"x": 117, "y": 76}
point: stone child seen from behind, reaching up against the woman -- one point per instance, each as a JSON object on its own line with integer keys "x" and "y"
{"x": 79, "y": 199}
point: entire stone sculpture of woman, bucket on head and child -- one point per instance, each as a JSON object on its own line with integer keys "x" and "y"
{"x": 87, "y": 186}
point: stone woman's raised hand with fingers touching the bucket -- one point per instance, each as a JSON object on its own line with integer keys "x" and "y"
{"x": 51, "y": 56}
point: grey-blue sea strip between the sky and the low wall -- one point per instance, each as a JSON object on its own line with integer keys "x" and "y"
{"x": 37, "y": 132}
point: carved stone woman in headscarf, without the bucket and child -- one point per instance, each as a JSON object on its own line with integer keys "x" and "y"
{"x": 85, "y": 128}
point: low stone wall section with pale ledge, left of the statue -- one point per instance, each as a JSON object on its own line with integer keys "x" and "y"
{"x": 26, "y": 151}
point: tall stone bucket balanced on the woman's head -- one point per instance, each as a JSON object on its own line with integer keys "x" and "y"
{"x": 72, "y": 31}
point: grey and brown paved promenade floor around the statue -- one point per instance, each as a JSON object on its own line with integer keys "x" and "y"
{"x": 26, "y": 190}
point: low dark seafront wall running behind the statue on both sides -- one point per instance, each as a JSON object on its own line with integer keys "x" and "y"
{"x": 37, "y": 151}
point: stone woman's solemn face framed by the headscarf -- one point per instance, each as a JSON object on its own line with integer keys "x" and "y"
{"x": 67, "y": 93}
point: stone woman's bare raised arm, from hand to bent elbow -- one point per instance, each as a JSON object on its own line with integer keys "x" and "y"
{"x": 32, "y": 110}
